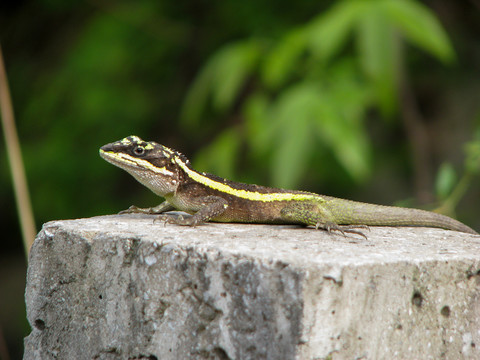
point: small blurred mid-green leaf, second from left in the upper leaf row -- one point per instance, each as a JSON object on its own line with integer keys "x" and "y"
{"x": 282, "y": 61}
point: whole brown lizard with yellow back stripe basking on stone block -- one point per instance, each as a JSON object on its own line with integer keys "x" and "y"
{"x": 207, "y": 197}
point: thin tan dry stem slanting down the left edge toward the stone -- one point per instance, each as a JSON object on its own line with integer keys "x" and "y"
{"x": 19, "y": 180}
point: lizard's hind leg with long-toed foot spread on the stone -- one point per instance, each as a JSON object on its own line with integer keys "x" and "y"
{"x": 318, "y": 216}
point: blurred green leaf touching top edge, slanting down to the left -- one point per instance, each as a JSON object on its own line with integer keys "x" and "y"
{"x": 328, "y": 32}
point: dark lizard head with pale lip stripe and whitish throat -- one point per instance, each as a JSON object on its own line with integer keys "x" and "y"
{"x": 152, "y": 164}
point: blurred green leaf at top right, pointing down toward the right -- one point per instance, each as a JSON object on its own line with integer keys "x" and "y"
{"x": 420, "y": 25}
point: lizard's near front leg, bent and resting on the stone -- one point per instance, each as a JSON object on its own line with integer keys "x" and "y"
{"x": 209, "y": 208}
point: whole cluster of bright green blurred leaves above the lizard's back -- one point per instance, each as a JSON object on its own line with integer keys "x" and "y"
{"x": 309, "y": 88}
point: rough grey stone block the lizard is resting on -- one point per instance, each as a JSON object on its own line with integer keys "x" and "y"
{"x": 125, "y": 287}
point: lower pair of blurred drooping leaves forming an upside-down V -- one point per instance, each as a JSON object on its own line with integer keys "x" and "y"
{"x": 306, "y": 112}
